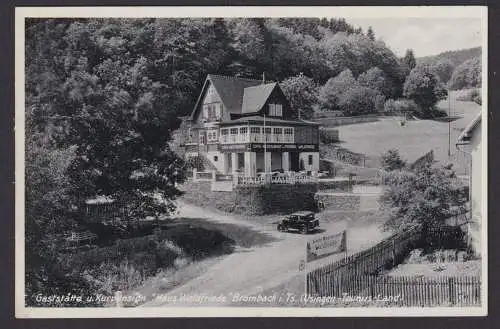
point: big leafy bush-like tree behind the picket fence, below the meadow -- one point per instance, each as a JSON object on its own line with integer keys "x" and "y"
{"x": 423, "y": 195}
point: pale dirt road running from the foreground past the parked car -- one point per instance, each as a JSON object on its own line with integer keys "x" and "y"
{"x": 251, "y": 271}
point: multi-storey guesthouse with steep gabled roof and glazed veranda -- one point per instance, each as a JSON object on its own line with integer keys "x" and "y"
{"x": 245, "y": 126}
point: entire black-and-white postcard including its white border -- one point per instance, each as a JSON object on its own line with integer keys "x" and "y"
{"x": 251, "y": 161}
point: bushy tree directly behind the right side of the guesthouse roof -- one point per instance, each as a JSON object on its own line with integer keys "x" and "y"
{"x": 302, "y": 93}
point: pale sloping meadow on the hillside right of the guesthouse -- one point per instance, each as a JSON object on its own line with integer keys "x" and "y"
{"x": 414, "y": 139}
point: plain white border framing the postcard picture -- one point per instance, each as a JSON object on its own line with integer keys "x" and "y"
{"x": 368, "y": 12}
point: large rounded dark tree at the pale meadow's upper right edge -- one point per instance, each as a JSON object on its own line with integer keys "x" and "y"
{"x": 425, "y": 89}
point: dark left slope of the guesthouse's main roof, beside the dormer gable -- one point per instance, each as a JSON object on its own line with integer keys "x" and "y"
{"x": 231, "y": 90}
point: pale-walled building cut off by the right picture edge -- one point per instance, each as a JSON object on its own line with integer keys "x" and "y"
{"x": 469, "y": 142}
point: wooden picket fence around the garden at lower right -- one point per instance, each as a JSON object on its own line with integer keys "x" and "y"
{"x": 357, "y": 275}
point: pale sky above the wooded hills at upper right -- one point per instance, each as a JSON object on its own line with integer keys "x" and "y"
{"x": 426, "y": 36}
